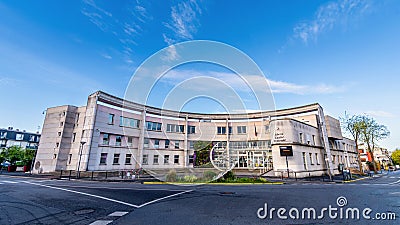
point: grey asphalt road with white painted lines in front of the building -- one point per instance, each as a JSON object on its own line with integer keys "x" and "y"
{"x": 39, "y": 201}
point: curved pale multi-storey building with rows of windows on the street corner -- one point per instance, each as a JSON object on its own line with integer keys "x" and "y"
{"x": 110, "y": 134}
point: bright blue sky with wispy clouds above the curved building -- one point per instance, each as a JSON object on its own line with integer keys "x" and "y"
{"x": 343, "y": 54}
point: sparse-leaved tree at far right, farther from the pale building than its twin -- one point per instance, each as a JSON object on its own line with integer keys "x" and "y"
{"x": 371, "y": 133}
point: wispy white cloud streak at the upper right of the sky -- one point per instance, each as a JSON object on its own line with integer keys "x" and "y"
{"x": 328, "y": 16}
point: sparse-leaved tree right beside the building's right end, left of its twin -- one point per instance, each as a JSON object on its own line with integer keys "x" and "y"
{"x": 353, "y": 125}
